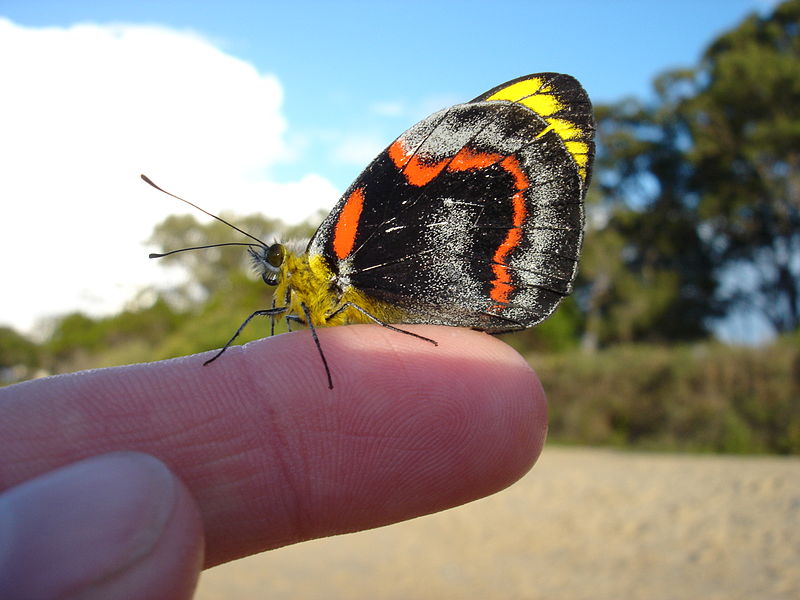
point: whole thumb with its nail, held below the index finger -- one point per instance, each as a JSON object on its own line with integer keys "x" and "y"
{"x": 113, "y": 526}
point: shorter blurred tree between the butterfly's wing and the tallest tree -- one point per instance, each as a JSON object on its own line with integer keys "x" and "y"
{"x": 646, "y": 274}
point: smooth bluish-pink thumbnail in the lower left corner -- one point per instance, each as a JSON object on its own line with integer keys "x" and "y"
{"x": 80, "y": 524}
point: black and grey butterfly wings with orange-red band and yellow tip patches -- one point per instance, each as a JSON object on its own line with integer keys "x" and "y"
{"x": 474, "y": 216}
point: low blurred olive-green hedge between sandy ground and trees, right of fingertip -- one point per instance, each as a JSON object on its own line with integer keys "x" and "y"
{"x": 696, "y": 398}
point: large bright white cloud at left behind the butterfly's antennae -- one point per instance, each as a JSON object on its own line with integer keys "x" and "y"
{"x": 83, "y": 111}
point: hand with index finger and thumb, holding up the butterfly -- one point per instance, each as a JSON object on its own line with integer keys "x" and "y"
{"x": 125, "y": 482}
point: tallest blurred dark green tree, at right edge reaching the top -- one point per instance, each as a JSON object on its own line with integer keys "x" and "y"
{"x": 744, "y": 121}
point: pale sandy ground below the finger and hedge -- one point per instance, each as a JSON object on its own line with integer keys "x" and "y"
{"x": 585, "y": 523}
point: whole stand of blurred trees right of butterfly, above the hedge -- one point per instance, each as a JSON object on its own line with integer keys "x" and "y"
{"x": 696, "y": 203}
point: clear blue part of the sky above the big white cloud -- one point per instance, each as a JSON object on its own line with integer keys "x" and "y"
{"x": 370, "y": 69}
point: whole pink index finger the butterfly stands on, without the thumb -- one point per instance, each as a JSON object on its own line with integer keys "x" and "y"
{"x": 272, "y": 456}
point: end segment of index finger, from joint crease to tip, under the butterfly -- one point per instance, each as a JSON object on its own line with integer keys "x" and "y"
{"x": 410, "y": 428}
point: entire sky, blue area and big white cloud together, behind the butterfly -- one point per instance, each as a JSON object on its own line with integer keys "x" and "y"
{"x": 271, "y": 107}
